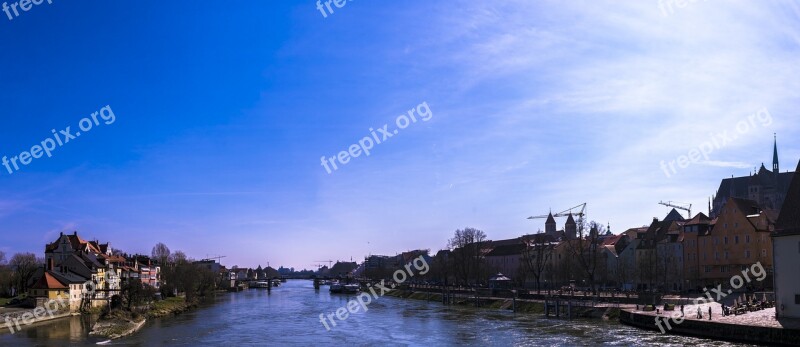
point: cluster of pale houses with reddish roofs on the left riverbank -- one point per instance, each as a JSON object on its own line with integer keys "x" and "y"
{"x": 88, "y": 273}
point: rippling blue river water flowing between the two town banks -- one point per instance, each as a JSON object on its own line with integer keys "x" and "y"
{"x": 289, "y": 315}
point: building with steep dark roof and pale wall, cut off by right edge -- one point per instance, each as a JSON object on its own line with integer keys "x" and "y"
{"x": 786, "y": 253}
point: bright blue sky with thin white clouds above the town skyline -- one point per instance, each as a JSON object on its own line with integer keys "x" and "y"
{"x": 212, "y": 120}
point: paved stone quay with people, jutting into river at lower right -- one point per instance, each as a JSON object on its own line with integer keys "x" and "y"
{"x": 756, "y": 327}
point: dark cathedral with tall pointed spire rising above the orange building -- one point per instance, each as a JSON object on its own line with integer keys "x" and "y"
{"x": 768, "y": 188}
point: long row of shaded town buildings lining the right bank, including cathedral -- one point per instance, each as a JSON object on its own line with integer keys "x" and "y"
{"x": 673, "y": 254}
